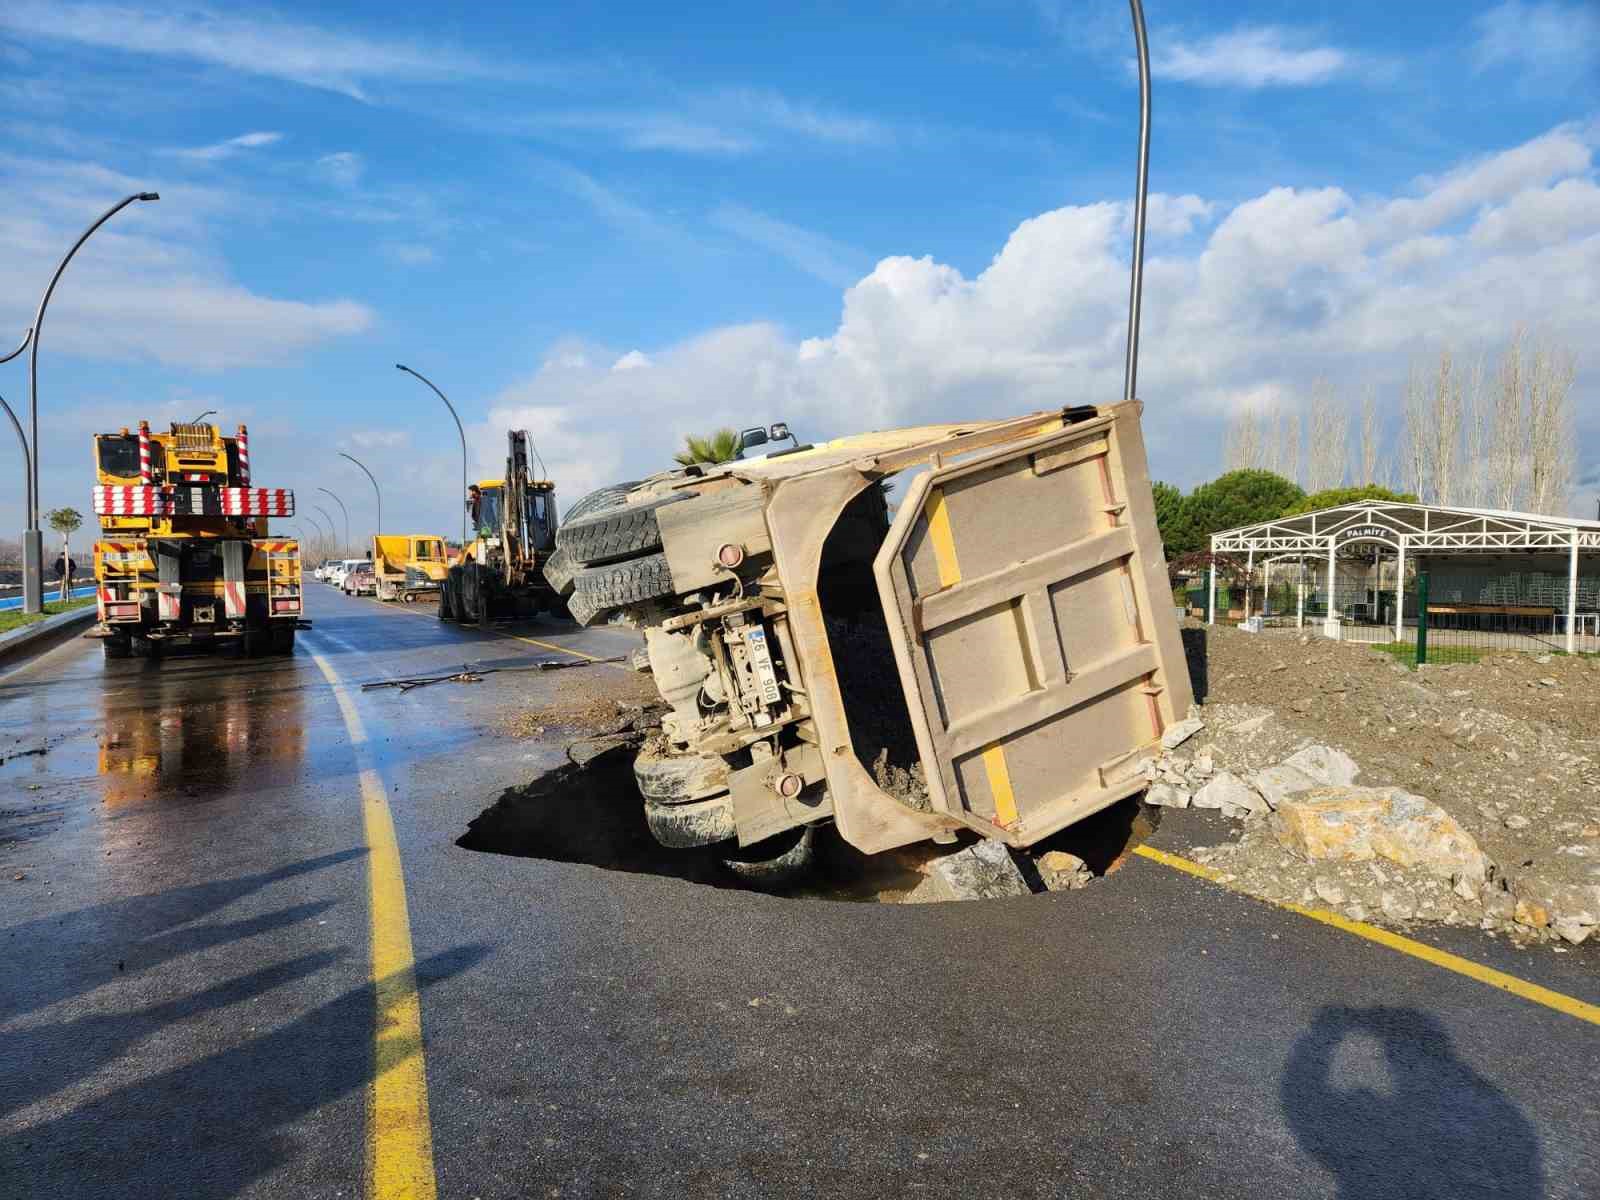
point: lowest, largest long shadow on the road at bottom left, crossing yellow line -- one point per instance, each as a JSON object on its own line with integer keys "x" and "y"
{"x": 207, "y": 1130}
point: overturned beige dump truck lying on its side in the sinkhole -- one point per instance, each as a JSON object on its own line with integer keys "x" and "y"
{"x": 906, "y": 633}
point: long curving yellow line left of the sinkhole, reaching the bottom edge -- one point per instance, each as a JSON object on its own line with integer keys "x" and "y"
{"x": 399, "y": 1134}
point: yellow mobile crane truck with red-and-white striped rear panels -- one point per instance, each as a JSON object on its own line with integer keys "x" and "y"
{"x": 185, "y": 554}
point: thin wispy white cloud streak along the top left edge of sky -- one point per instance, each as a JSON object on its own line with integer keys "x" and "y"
{"x": 255, "y": 46}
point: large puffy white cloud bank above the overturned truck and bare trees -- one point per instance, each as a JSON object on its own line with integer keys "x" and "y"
{"x": 1287, "y": 287}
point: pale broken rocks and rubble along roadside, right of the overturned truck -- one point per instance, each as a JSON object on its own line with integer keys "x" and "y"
{"x": 1313, "y": 834}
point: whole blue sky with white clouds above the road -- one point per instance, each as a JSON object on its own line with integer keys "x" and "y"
{"x": 618, "y": 225}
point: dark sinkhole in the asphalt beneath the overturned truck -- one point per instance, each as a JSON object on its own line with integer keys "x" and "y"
{"x": 590, "y": 812}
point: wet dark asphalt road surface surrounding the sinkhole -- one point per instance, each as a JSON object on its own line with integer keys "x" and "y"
{"x": 188, "y": 999}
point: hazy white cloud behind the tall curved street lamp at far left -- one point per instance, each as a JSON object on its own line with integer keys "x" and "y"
{"x": 148, "y": 286}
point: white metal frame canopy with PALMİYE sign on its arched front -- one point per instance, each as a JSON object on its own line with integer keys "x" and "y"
{"x": 1410, "y": 529}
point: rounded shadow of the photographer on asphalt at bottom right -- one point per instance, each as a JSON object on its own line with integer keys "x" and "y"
{"x": 1380, "y": 1098}
